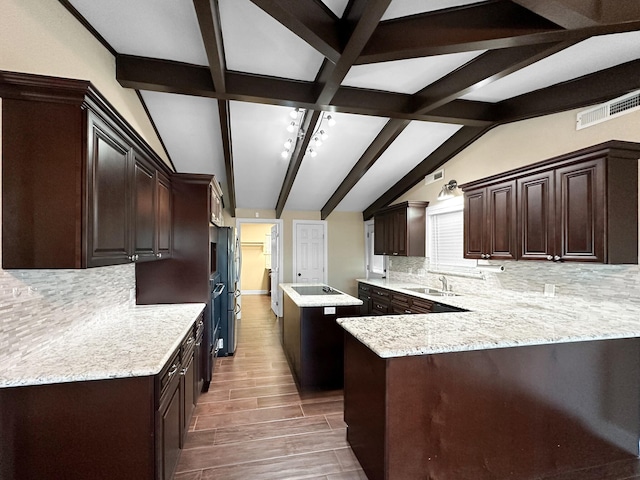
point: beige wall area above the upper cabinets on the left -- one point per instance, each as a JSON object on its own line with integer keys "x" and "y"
{"x": 43, "y": 38}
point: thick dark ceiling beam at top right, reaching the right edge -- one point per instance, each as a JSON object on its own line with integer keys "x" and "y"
{"x": 490, "y": 25}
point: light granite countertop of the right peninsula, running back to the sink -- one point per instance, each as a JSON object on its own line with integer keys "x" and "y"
{"x": 500, "y": 320}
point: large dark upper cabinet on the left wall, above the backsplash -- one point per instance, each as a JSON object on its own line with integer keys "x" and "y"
{"x": 80, "y": 188}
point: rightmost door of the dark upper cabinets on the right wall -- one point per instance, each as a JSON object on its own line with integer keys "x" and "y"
{"x": 580, "y": 210}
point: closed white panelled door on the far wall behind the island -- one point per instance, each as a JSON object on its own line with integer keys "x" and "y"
{"x": 309, "y": 266}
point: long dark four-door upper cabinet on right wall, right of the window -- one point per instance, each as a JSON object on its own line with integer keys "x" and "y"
{"x": 577, "y": 207}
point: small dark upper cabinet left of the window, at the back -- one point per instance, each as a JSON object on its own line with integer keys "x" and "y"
{"x": 401, "y": 230}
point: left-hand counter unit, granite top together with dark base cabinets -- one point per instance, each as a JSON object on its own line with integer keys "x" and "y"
{"x": 108, "y": 398}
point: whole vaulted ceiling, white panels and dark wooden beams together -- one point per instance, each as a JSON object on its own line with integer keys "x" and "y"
{"x": 409, "y": 83}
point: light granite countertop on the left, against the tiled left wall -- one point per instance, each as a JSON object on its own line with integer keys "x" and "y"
{"x": 116, "y": 343}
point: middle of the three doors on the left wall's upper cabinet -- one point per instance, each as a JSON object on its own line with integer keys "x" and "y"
{"x": 144, "y": 211}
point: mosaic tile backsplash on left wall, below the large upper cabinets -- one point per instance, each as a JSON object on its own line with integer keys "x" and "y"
{"x": 37, "y": 304}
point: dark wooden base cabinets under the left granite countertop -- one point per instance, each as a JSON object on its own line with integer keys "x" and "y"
{"x": 100, "y": 429}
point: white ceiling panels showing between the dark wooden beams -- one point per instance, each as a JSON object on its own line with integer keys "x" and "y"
{"x": 256, "y": 43}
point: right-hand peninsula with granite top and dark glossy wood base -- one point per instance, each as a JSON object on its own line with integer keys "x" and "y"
{"x": 519, "y": 387}
